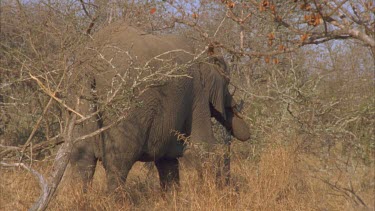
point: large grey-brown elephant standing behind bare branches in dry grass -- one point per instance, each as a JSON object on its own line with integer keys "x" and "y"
{"x": 151, "y": 131}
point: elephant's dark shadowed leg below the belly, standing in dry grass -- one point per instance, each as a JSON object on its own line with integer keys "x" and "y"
{"x": 168, "y": 169}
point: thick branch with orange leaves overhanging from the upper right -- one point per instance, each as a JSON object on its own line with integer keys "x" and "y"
{"x": 345, "y": 31}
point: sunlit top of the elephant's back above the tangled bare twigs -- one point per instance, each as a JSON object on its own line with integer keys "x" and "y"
{"x": 119, "y": 39}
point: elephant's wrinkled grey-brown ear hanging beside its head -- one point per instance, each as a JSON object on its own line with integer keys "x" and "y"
{"x": 216, "y": 80}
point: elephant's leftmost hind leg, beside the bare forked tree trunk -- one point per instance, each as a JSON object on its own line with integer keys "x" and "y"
{"x": 84, "y": 162}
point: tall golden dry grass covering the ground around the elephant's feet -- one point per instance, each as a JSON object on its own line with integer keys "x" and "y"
{"x": 283, "y": 179}
